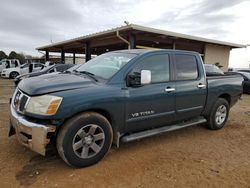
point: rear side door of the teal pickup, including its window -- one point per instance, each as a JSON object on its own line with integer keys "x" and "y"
{"x": 190, "y": 86}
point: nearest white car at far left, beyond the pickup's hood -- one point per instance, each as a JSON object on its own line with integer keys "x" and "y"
{"x": 23, "y": 69}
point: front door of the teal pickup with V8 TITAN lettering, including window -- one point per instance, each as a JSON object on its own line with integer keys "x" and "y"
{"x": 151, "y": 105}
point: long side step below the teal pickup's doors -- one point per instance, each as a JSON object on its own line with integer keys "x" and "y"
{"x": 152, "y": 132}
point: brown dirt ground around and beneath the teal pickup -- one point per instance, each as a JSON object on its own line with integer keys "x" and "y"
{"x": 191, "y": 157}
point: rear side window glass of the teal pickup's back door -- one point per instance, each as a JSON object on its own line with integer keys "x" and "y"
{"x": 186, "y": 67}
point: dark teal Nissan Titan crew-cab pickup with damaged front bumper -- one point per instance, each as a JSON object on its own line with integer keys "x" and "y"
{"x": 117, "y": 97}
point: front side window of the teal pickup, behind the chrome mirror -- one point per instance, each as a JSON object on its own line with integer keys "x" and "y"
{"x": 158, "y": 65}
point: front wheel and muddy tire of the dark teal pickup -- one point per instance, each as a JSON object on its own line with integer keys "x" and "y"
{"x": 81, "y": 131}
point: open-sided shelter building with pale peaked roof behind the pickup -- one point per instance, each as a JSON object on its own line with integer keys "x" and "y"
{"x": 135, "y": 36}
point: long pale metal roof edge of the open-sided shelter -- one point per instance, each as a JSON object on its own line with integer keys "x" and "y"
{"x": 144, "y": 29}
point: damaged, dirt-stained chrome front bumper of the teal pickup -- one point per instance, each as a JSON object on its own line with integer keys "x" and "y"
{"x": 30, "y": 134}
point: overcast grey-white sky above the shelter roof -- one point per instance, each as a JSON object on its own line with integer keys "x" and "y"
{"x": 28, "y": 24}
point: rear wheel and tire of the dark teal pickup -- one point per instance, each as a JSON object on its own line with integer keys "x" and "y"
{"x": 219, "y": 114}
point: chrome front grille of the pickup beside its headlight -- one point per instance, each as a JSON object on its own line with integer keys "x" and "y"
{"x": 20, "y": 101}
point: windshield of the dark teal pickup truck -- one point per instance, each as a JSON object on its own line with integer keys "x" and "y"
{"x": 106, "y": 65}
